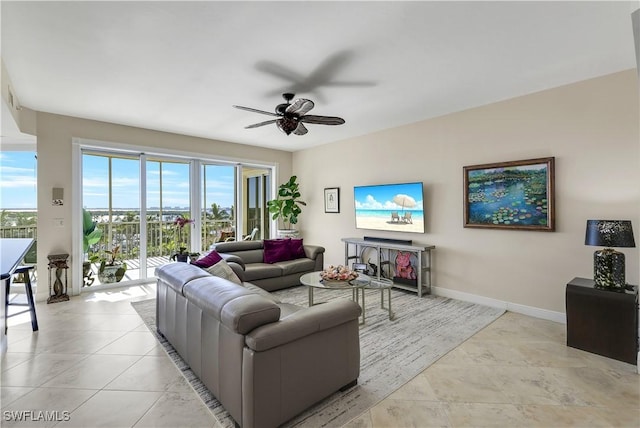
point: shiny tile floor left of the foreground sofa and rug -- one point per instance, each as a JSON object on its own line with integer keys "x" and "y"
{"x": 95, "y": 359}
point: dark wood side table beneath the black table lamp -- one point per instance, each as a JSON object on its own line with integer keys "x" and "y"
{"x": 601, "y": 321}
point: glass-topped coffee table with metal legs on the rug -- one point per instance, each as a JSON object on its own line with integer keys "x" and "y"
{"x": 357, "y": 286}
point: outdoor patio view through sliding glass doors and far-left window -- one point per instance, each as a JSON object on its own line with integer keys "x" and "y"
{"x": 121, "y": 241}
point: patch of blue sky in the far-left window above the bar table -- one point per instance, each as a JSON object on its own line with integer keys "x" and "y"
{"x": 18, "y": 180}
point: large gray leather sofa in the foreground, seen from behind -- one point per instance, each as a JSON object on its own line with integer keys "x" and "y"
{"x": 264, "y": 360}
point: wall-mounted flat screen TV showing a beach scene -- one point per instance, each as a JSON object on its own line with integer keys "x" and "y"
{"x": 390, "y": 207}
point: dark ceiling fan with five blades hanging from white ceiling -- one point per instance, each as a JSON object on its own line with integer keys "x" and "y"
{"x": 291, "y": 116}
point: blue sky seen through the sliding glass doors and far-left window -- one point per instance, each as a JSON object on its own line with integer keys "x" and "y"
{"x": 18, "y": 183}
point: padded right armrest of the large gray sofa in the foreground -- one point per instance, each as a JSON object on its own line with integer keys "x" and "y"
{"x": 303, "y": 323}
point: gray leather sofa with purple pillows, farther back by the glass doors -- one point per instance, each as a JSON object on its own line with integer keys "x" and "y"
{"x": 270, "y": 276}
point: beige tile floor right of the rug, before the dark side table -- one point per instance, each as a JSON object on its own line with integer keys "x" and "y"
{"x": 517, "y": 372}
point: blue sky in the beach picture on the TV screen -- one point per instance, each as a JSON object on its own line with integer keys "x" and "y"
{"x": 381, "y": 197}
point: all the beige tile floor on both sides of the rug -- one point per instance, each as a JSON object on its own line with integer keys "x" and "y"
{"x": 95, "y": 359}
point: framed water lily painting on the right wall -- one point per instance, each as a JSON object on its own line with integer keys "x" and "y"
{"x": 510, "y": 195}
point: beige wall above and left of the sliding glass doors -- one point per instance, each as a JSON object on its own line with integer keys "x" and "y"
{"x": 55, "y": 134}
